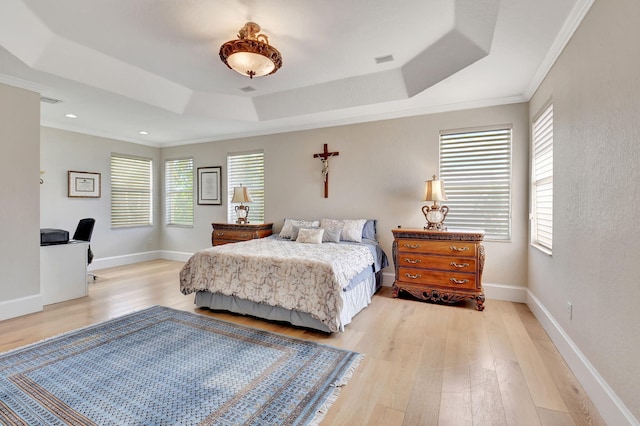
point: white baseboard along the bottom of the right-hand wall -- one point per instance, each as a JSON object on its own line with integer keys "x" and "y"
{"x": 610, "y": 407}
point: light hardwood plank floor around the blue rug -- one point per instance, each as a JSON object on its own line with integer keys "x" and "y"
{"x": 424, "y": 364}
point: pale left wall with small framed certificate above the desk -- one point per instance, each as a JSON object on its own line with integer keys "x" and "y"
{"x": 62, "y": 151}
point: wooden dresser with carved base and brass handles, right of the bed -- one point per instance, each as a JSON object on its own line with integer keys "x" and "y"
{"x": 441, "y": 266}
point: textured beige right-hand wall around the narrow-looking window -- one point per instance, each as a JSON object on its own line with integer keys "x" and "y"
{"x": 595, "y": 87}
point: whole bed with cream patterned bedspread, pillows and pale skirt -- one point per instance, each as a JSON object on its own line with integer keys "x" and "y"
{"x": 314, "y": 274}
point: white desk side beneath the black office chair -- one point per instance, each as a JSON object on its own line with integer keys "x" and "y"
{"x": 63, "y": 272}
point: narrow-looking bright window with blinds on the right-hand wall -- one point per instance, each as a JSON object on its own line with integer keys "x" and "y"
{"x": 542, "y": 180}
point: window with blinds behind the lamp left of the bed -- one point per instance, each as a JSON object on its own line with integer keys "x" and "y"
{"x": 246, "y": 169}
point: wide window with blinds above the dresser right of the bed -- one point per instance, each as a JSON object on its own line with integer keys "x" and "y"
{"x": 476, "y": 169}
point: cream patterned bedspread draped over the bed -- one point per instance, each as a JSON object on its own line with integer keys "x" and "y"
{"x": 297, "y": 276}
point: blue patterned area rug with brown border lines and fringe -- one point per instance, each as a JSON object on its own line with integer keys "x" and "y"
{"x": 161, "y": 366}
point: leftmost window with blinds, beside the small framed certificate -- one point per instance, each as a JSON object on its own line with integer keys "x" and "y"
{"x": 130, "y": 191}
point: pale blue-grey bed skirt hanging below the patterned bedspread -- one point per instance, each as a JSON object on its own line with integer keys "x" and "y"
{"x": 354, "y": 300}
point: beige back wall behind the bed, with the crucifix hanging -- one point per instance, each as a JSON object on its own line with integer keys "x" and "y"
{"x": 379, "y": 174}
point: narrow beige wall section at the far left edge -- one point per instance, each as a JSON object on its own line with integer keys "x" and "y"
{"x": 19, "y": 192}
